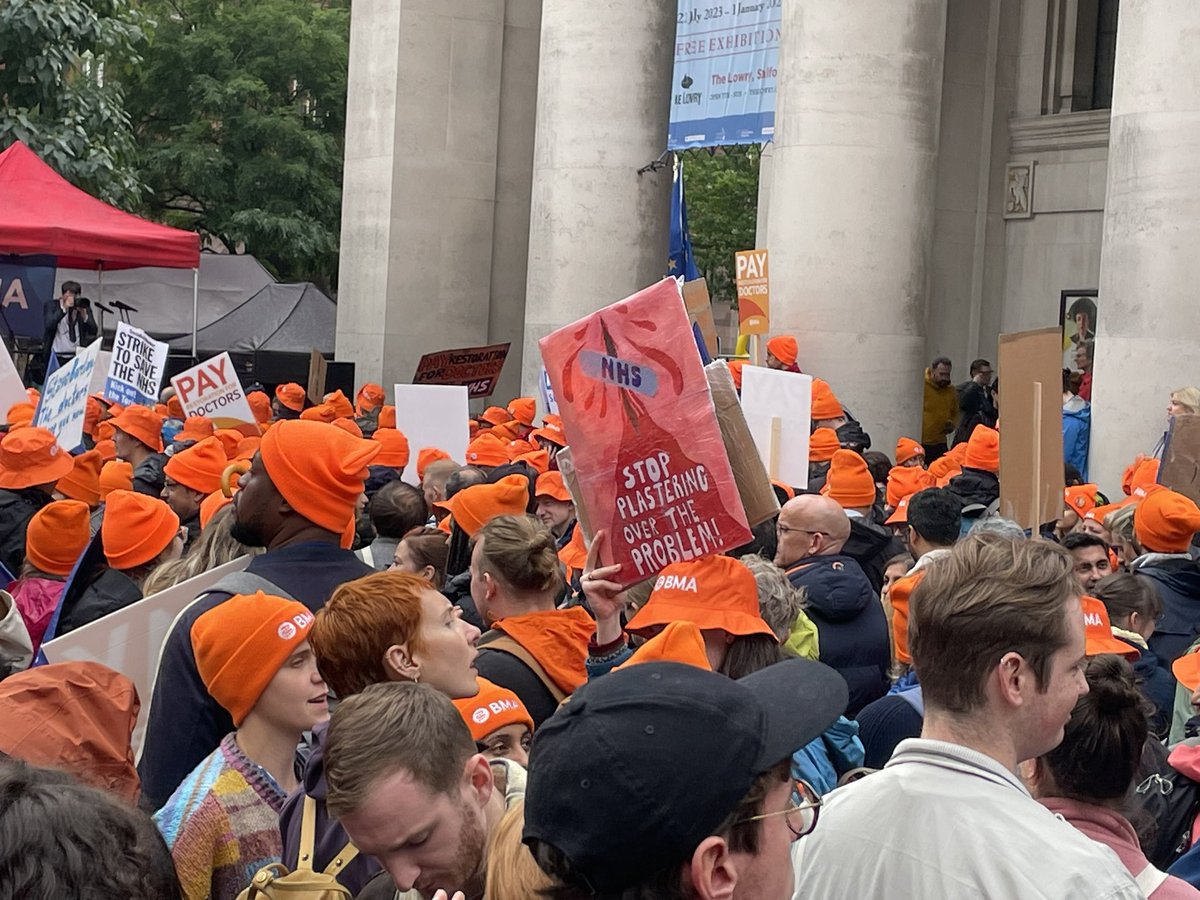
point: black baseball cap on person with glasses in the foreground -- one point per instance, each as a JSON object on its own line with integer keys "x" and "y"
{"x": 644, "y": 764}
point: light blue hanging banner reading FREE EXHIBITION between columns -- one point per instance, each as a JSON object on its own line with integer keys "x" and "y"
{"x": 723, "y": 91}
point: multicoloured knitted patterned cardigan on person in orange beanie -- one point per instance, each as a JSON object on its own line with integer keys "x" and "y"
{"x": 223, "y": 825}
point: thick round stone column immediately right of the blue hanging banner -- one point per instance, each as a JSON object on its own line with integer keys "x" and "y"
{"x": 853, "y": 200}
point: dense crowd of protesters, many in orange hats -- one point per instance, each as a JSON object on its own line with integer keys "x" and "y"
{"x": 443, "y": 692}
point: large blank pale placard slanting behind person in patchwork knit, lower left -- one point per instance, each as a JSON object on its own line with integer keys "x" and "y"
{"x": 131, "y": 640}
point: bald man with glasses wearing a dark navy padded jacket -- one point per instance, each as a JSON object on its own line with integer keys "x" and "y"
{"x": 853, "y": 629}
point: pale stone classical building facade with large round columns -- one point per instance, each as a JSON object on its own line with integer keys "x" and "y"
{"x": 943, "y": 171}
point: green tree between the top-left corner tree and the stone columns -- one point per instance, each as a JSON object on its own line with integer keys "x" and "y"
{"x": 241, "y": 113}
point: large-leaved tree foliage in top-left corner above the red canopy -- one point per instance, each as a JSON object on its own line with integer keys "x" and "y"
{"x": 58, "y": 91}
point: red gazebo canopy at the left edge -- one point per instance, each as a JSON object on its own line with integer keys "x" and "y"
{"x": 44, "y": 213}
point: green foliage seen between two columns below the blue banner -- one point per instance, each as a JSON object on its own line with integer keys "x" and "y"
{"x": 722, "y": 189}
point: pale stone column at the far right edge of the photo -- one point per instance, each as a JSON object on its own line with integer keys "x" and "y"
{"x": 1149, "y": 320}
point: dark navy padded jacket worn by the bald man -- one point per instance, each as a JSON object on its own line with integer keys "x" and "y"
{"x": 853, "y": 628}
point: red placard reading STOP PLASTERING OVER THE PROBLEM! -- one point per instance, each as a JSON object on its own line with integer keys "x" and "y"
{"x": 649, "y": 451}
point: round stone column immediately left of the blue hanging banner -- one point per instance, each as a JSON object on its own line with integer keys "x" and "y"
{"x": 598, "y": 230}
